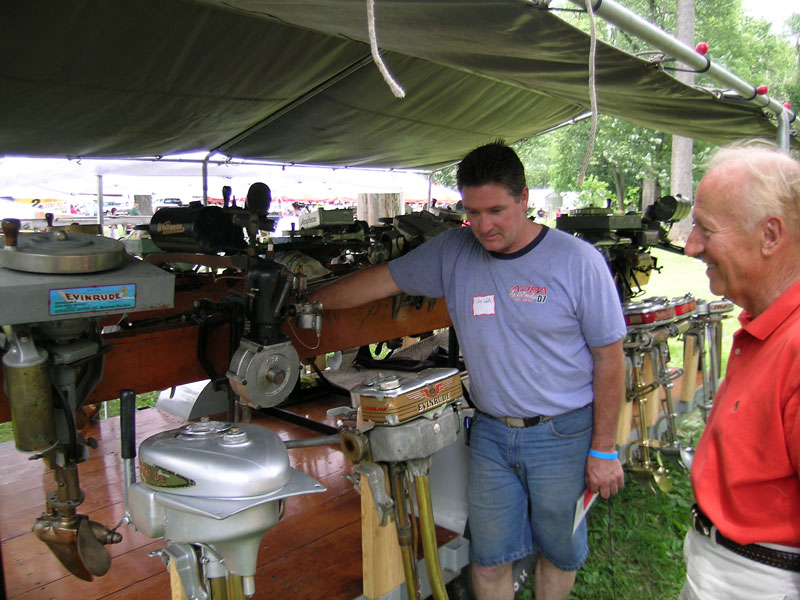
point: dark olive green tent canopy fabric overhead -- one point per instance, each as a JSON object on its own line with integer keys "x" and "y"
{"x": 294, "y": 81}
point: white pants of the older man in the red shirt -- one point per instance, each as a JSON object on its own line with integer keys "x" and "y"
{"x": 716, "y": 573}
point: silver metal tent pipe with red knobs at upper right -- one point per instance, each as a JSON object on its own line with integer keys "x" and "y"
{"x": 634, "y": 24}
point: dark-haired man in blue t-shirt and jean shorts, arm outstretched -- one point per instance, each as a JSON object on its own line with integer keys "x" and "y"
{"x": 541, "y": 327}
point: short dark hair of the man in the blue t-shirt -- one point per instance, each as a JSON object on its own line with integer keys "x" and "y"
{"x": 492, "y": 163}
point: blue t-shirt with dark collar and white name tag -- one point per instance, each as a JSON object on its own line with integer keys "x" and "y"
{"x": 525, "y": 321}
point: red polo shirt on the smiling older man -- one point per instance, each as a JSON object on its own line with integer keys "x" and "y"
{"x": 745, "y": 470}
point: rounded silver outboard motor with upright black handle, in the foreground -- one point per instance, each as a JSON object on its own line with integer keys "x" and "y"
{"x": 211, "y": 489}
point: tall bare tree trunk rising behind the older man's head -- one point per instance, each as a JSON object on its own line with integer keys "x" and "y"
{"x": 681, "y": 182}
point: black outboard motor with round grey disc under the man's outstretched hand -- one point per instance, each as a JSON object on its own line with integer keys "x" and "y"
{"x": 265, "y": 367}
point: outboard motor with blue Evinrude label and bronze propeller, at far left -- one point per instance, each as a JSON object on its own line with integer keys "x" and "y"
{"x": 57, "y": 286}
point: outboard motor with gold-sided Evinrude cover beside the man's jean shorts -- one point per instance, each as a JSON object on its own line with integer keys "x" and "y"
{"x": 404, "y": 421}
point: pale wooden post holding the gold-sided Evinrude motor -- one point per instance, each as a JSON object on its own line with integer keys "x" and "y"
{"x": 382, "y": 562}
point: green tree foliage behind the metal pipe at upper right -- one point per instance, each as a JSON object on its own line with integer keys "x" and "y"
{"x": 625, "y": 154}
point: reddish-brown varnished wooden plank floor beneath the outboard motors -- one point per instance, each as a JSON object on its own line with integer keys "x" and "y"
{"x": 313, "y": 553}
